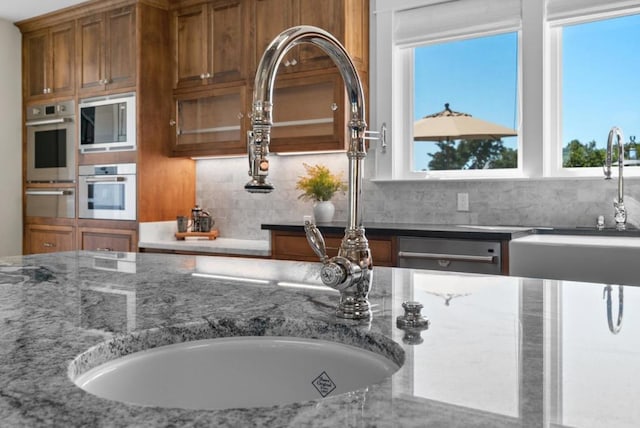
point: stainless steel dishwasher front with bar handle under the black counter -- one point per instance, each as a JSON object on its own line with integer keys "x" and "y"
{"x": 459, "y": 255}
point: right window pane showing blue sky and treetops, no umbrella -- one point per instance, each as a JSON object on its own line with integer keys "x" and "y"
{"x": 600, "y": 88}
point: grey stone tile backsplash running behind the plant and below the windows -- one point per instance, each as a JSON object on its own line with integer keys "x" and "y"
{"x": 539, "y": 202}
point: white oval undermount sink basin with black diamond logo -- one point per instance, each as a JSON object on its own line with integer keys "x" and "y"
{"x": 236, "y": 372}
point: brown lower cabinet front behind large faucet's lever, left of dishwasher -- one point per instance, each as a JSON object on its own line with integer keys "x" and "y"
{"x": 294, "y": 246}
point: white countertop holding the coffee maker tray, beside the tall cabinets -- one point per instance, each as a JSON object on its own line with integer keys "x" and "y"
{"x": 161, "y": 236}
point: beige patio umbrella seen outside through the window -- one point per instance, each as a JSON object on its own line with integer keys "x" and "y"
{"x": 452, "y": 125}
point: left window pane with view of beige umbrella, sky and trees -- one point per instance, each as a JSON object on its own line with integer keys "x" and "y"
{"x": 477, "y": 77}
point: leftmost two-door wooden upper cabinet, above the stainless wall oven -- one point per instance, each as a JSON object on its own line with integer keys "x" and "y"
{"x": 49, "y": 64}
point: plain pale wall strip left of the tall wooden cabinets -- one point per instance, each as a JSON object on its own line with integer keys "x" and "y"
{"x": 10, "y": 140}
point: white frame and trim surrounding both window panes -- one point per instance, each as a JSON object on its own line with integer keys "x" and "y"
{"x": 539, "y": 103}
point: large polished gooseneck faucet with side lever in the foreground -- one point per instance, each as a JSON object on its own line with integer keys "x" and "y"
{"x": 351, "y": 270}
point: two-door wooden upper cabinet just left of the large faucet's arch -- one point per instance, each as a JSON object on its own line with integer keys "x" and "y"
{"x": 208, "y": 43}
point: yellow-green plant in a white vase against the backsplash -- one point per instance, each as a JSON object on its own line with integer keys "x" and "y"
{"x": 320, "y": 185}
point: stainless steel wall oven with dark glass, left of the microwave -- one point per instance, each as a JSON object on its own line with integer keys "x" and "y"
{"x": 51, "y": 142}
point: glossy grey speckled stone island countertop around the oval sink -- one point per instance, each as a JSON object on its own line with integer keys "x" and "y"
{"x": 500, "y": 351}
